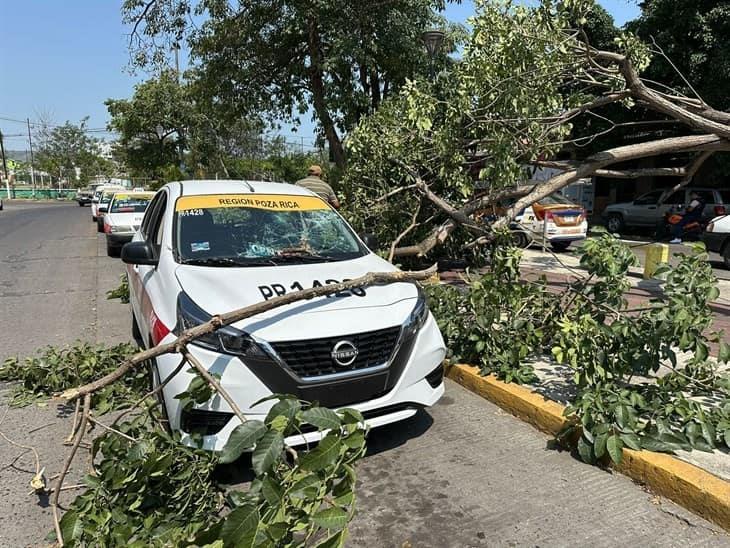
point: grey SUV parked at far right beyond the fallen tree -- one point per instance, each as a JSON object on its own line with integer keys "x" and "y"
{"x": 649, "y": 209}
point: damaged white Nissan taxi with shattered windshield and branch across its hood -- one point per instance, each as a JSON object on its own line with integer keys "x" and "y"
{"x": 208, "y": 247}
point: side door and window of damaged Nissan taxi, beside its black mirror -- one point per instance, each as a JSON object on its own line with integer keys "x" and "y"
{"x": 144, "y": 276}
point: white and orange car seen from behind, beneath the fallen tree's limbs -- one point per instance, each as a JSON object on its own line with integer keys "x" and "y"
{"x": 554, "y": 219}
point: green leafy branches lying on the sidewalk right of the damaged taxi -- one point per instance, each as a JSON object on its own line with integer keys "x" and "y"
{"x": 633, "y": 387}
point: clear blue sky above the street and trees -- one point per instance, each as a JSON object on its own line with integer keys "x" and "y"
{"x": 64, "y": 58}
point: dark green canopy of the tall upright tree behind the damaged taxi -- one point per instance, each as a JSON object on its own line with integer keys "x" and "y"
{"x": 280, "y": 58}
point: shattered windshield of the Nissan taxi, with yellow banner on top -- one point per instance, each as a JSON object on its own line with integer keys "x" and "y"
{"x": 256, "y": 230}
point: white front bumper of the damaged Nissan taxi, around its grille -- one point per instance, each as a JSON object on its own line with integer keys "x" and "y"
{"x": 410, "y": 391}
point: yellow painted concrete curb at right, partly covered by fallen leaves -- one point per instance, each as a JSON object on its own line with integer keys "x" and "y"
{"x": 697, "y": 490}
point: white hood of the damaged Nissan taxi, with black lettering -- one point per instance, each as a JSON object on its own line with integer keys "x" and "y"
{"x": 220, "y": 290}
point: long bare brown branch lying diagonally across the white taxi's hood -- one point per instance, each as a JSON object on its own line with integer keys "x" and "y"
{"x": 221, "y": 320}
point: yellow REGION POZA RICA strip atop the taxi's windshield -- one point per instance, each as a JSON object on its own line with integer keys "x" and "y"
{"x": 274, "y": 202}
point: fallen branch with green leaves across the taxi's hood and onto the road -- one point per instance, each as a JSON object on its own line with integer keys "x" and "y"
{"x": 146, "y": 488}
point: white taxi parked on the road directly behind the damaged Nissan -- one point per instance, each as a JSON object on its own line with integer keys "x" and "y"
{"x": 123, "y": 219}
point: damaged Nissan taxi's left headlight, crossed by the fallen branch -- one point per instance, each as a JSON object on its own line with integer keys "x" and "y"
{"x": 227, "y": 340}
